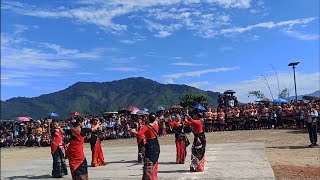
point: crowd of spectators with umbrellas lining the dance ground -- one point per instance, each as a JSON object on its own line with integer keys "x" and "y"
{"x": 229, "y": 115}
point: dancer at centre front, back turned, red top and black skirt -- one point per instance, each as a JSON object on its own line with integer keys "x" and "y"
{"x": 150, "y": 168}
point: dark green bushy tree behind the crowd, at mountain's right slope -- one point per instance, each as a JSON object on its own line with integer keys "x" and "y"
{"x": 190, "y": 100}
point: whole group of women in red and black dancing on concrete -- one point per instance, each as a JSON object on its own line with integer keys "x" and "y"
{"x": 147, "y": 140}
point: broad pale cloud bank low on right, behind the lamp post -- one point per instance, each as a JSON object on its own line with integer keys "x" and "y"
{"x": 306, "y": 83}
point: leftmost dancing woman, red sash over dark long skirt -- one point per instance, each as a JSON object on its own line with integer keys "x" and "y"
{"x": 58, "y": 152}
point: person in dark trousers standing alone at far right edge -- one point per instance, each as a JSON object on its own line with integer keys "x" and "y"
{"x": 312, "y": 126}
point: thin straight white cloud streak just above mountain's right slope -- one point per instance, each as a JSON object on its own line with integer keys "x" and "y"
{"x": 199, "y": 73}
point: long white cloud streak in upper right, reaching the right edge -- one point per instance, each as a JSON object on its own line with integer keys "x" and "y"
{"x": 269, "y": 25}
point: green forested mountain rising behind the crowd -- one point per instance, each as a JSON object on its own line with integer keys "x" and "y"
{"x": 92, "y": 97}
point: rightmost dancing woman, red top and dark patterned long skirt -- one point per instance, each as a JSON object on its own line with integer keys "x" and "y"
{"x": 199, "y": 143}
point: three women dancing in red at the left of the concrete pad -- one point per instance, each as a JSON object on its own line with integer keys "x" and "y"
{"x": 75, "y": 151}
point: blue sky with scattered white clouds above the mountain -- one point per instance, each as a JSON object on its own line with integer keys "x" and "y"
{"x": 210, "y": 44}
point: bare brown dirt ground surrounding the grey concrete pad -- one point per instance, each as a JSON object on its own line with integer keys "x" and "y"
{"x": 287, "y": 150}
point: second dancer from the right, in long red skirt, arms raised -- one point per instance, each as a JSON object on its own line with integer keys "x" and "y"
{"x": 181, "y": 139}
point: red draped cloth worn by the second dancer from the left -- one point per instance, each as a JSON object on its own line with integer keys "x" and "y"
{"x": 75, "y": 152}
